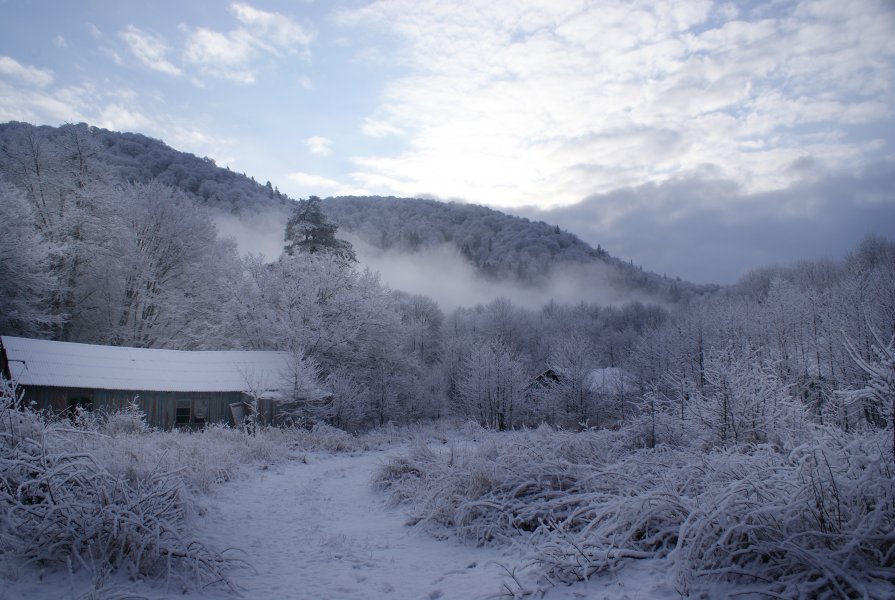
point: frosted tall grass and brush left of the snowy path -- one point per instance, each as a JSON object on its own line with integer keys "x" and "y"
{"x": 107, "y": 494}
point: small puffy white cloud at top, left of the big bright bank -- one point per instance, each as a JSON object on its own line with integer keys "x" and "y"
{"x": 233, "y": 55}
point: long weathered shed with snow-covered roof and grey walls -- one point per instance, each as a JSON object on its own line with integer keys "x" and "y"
{"x": 175, "y": 388}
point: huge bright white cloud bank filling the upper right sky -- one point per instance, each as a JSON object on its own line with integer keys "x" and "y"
{"x": 545, "y": 103}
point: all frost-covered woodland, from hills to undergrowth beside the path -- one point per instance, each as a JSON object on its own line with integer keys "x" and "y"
{"x": 745, "y": 434}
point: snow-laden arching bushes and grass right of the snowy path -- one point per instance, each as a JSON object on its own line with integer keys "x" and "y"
{"x": 814, "y": 521}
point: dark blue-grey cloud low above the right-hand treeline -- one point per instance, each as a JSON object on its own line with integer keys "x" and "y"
{"x": 708, "y": 230}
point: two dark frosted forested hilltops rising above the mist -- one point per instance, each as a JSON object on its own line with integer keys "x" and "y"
{"x": 499, "y": 246}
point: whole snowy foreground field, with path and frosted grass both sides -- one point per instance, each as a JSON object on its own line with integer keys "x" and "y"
{"x": 106, "y": 508}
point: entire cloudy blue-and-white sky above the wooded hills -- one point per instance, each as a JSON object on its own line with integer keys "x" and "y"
{"x": 698, "y": 139}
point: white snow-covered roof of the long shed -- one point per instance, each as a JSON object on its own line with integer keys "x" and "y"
{"x": 65, "y": 364}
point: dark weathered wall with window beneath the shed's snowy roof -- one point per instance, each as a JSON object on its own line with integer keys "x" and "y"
{"x": 160, "y": 407}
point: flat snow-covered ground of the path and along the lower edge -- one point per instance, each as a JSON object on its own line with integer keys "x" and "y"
{"x": 316, "y": 530}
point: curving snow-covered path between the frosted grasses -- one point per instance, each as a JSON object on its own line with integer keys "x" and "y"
{"x": 318, "y": 531}
